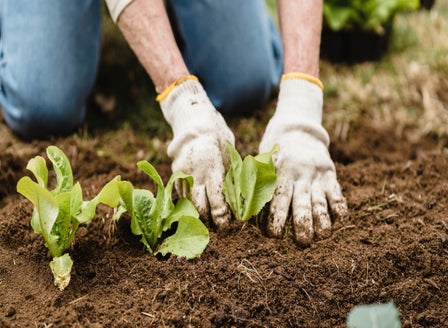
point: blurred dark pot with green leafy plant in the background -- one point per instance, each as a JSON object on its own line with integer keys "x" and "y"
{"x": 359, "y": 30}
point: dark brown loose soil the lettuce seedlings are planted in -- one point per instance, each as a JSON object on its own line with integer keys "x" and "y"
{"x": 392, "y": 246}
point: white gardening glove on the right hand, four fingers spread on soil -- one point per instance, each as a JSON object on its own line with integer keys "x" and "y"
{"x": 306, "y": 175}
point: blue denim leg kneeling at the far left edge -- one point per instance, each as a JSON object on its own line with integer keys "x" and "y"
{"x": 49, "y": 53}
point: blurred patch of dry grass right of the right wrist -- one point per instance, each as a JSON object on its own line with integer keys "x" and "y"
{"x": 407, "y": 89}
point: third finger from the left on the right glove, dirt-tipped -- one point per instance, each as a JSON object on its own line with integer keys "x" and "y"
{"x": 321, "y": 217}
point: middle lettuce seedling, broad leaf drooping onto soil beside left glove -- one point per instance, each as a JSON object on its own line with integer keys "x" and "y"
{"x": 152, "y": 217}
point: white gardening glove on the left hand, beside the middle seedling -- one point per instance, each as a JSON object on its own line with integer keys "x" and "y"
{"x": 199, "y": 146}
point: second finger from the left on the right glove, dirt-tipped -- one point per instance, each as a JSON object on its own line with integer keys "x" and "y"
{"x": 302, "y": 213}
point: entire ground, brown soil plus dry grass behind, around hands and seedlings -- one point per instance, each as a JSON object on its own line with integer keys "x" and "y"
{"x": 387, "y": 122}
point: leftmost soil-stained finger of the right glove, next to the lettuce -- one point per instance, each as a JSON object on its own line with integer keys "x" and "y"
{"x": 279, "y": 209}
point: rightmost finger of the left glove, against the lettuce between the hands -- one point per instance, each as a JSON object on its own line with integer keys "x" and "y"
{"x": 218, "y": 207}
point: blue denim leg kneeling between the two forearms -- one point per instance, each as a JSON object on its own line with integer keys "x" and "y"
{"x": 233, "y": 47}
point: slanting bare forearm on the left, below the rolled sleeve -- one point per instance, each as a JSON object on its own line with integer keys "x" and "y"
{"x": 146, "y": 27}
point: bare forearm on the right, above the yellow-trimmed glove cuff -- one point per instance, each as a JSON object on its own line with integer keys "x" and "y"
{"x": 301, "y": 26}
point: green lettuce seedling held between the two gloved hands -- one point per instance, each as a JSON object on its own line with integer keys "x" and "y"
{"x": 249, "y": 183}
